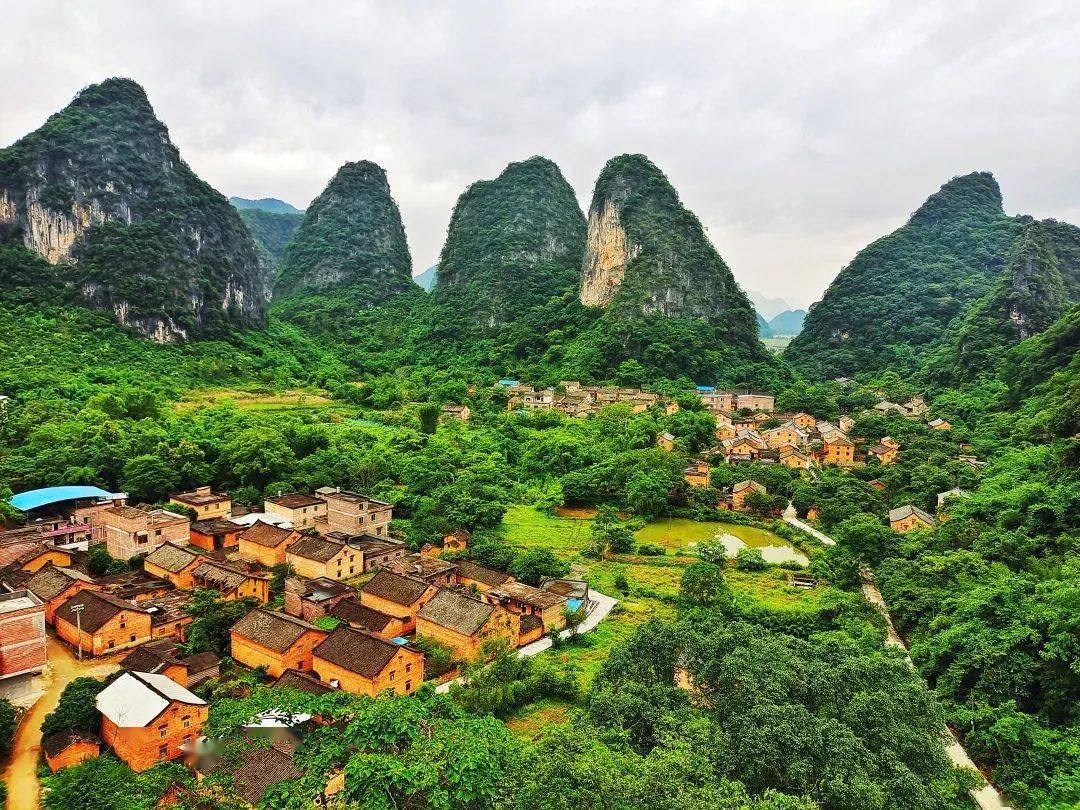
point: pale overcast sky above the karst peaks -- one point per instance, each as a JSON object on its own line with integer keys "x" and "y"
{"x": 798, "y": 132}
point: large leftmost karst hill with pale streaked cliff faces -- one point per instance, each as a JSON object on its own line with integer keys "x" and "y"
{"x": 102, "y": 194}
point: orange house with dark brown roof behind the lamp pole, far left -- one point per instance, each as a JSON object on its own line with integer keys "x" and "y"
{"x": 104, "y": 625}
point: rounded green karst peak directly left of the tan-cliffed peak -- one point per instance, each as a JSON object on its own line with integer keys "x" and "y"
{"x": 514, "y": 244}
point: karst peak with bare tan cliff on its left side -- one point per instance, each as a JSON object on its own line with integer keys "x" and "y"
{"x": 647, "y": 254}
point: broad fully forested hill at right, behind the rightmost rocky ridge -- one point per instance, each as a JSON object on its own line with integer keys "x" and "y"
{"x": 888, "y": 307}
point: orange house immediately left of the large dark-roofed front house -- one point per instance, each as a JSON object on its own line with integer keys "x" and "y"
{"x": 276, "y": 641}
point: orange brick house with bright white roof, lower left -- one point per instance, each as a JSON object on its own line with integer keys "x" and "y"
{"x": 147, "y": 718}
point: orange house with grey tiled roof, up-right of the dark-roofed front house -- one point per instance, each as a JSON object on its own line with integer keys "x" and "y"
{"x": 464, "y": 624}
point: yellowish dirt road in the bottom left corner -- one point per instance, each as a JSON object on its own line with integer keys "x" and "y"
{"x": 22, "y": 775}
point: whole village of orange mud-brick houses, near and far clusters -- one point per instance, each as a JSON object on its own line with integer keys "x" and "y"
{"x": 355, "y": 609}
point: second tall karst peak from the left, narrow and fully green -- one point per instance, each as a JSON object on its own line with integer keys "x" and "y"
{"x": 349, "y": 253}
